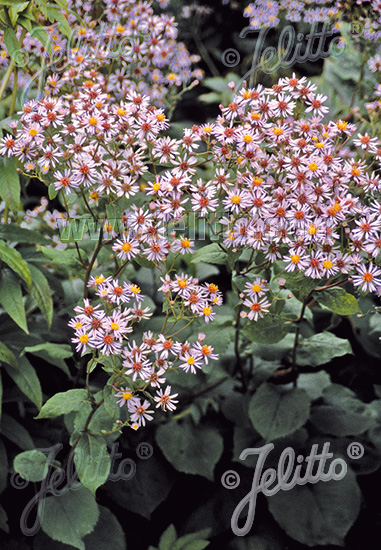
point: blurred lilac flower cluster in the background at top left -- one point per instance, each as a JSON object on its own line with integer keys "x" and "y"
{"x": 129, "y": 48}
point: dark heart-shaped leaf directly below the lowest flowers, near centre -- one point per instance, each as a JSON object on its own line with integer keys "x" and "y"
{"x": 190, "y": 449}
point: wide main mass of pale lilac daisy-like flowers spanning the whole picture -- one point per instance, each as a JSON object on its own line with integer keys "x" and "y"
{"x": 281, "y": 180}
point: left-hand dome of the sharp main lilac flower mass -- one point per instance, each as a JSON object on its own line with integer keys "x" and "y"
{"x": 80, "y": 140}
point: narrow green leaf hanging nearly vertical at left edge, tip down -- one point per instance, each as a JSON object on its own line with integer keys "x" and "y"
{"x": 11, "y": 299}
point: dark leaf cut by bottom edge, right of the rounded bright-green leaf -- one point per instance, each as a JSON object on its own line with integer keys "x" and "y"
{"x": 107, "y": 533}
